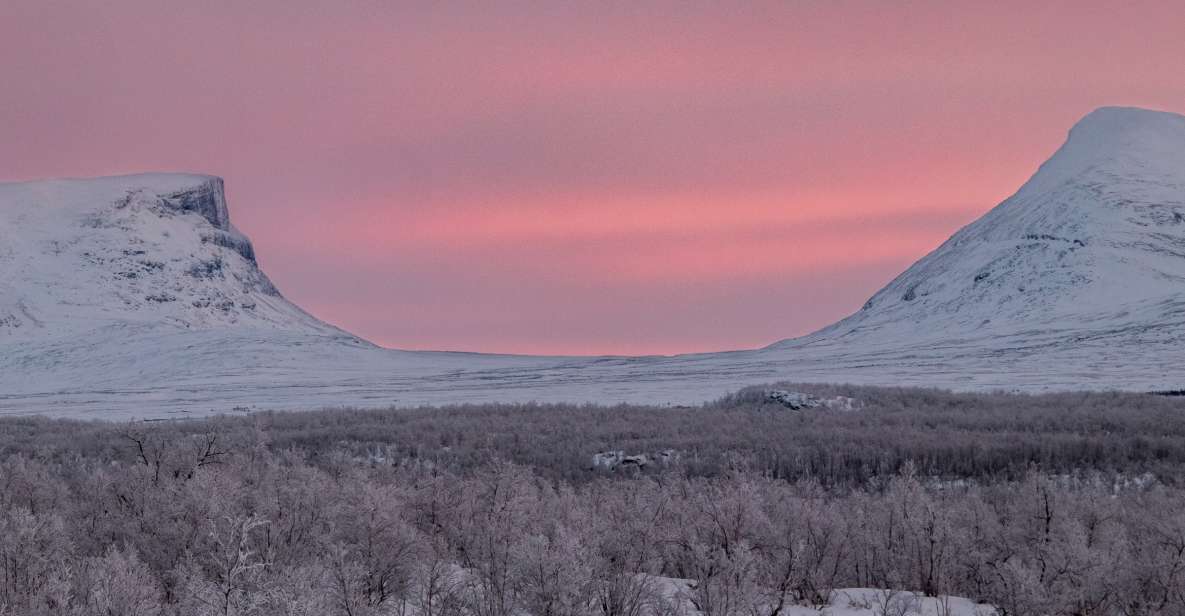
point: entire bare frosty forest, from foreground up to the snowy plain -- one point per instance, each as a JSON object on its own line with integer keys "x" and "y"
{"x": 1037, "y": 505}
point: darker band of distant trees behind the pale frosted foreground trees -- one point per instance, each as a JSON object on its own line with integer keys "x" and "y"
{"x": 944, "y": 437}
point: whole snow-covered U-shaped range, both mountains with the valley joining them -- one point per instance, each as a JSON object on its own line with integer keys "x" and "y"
{"x": 136, "y": 297}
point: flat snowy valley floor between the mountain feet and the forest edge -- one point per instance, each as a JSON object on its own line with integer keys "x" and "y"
{"x": 126, "y": 374}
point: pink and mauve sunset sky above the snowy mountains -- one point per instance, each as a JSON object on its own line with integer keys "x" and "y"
{"x": 579, "y": 178}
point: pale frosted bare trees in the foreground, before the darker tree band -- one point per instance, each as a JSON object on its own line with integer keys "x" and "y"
{"x": 196, "y": 525}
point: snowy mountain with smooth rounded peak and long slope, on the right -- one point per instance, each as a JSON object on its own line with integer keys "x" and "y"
{"x": 1092, "y": 247}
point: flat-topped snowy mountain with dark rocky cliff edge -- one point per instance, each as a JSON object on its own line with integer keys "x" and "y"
{"x": 153, "y": 252}
